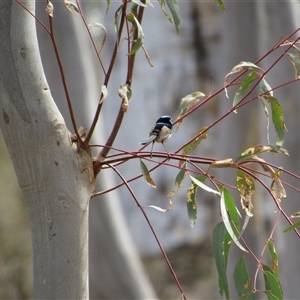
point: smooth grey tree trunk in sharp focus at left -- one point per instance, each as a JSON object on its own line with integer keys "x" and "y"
{"x": 56, "y": 178}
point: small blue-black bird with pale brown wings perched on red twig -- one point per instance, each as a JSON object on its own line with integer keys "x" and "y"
{"x": 160, "y": 132}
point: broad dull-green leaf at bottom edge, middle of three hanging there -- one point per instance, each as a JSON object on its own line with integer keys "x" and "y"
{"x": 242, "y": 281}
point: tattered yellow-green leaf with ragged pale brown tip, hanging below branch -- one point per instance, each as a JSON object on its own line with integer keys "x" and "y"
{"x": 246, "y": 188}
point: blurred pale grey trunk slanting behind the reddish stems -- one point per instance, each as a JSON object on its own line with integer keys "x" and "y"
{"x": 115, "y": 269}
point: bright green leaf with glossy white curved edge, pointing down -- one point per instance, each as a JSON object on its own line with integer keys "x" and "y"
{"x": 230, "y": 216}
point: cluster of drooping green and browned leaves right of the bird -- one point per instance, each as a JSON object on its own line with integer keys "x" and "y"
{"x": 250, "y": 76}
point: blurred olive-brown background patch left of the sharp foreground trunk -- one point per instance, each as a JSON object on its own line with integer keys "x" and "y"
{"x": 15, "y": 238}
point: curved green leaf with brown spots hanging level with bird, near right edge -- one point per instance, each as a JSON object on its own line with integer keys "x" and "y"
{"x": 277, "y": 118}
